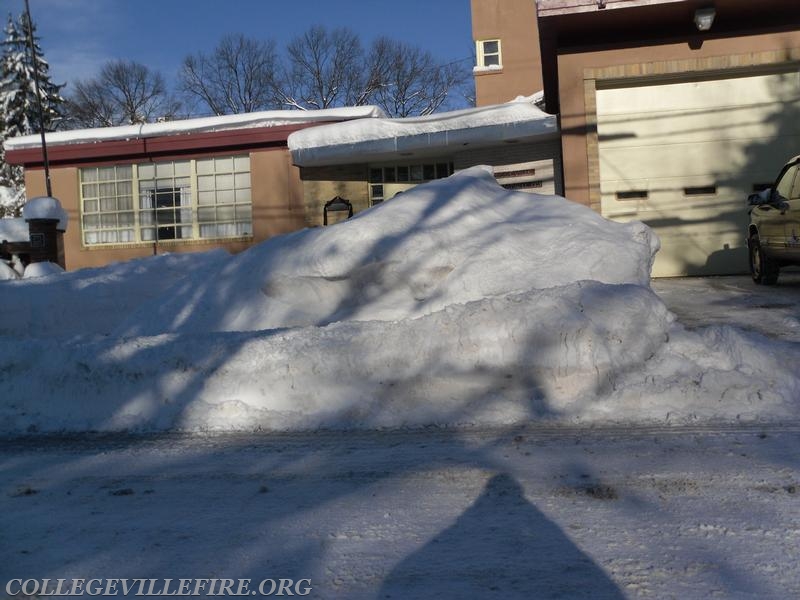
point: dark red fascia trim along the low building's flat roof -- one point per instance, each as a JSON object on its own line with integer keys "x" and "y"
{"x": 162, "y": 147}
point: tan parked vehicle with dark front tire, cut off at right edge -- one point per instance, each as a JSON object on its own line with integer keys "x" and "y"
{"x": 772, "y": 236}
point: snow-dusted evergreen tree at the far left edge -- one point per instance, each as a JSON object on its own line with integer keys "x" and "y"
{"x": 19, "y": 111}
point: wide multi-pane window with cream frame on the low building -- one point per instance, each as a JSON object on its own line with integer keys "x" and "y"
{"x": 205, "y": 198}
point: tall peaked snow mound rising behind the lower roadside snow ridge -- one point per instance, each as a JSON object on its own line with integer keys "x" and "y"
{"x": 452, "y": 241}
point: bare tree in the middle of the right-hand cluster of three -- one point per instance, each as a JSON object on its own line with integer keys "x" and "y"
{"x": 325, "y": 69}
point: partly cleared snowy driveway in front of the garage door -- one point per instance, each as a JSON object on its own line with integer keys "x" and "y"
{"x": 771, "y": 310}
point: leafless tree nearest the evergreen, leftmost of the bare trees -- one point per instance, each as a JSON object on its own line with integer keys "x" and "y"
{"x": 125, "y": 92}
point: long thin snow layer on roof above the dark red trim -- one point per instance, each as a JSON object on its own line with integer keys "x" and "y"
{"x": 273, "y": 118}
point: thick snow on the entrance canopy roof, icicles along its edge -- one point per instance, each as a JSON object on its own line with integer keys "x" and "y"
{"x": 340, "y": 142}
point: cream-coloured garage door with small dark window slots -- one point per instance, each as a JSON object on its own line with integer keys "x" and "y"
{"x": 682, "y": 157}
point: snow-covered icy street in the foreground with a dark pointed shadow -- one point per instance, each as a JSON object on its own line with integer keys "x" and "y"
{"x": 515, "y": 513}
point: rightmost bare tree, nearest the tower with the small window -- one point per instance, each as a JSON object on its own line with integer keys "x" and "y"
{"x": 411, "y": 81}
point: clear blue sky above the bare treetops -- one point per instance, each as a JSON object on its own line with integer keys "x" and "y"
{"x": 78, "y": 36}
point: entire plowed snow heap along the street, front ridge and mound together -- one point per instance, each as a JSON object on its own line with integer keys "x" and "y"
{"x": 457, "y": 303}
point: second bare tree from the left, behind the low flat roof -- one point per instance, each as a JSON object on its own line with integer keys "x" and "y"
{"x": 237, "y": 77}
